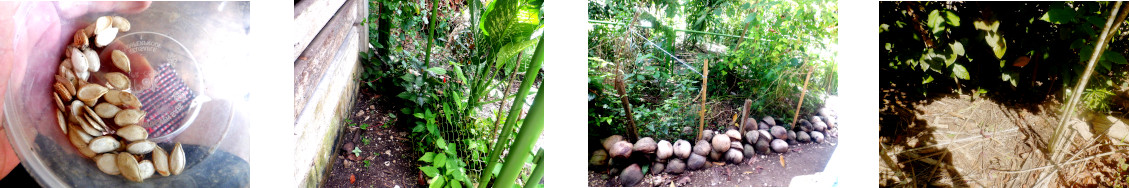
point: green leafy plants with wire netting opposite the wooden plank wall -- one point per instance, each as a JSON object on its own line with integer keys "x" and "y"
{"x": 445, "y": 60}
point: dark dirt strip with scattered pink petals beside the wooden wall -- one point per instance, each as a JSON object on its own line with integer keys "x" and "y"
{"x": 389, "y": 153}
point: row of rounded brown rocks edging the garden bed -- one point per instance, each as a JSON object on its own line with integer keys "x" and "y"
{"x": 762, "y": 137}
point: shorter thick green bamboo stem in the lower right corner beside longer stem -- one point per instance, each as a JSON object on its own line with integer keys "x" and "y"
{"x": 531, "y": 130}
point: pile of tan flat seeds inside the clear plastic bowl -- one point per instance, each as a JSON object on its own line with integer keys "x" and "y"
{"x": 119, "y": 147}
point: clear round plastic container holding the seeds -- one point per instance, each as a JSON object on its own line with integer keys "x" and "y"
{"x": 182, "y": 108}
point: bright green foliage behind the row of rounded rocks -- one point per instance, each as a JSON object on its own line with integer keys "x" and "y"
{"x": 757, "y": 50}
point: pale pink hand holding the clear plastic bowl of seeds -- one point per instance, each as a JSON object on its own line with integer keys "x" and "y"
{"x": 37, "y": 34}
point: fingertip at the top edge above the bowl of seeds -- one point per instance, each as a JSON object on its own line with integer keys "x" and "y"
{"x": 77, "y": 10}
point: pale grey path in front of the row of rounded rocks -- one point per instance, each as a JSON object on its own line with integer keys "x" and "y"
{"x": 764, "y": 171}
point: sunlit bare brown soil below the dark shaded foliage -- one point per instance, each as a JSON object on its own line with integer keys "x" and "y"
{"x": 961, "y": 141}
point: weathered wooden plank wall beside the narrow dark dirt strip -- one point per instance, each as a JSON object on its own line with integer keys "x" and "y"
{"x": 329, "y": 37}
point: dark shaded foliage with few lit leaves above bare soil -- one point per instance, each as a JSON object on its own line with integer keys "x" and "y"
{"x": 1005, "y": 50}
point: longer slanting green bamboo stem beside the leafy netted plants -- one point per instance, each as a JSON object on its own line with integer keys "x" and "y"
{"x": 515, "y": 111}
